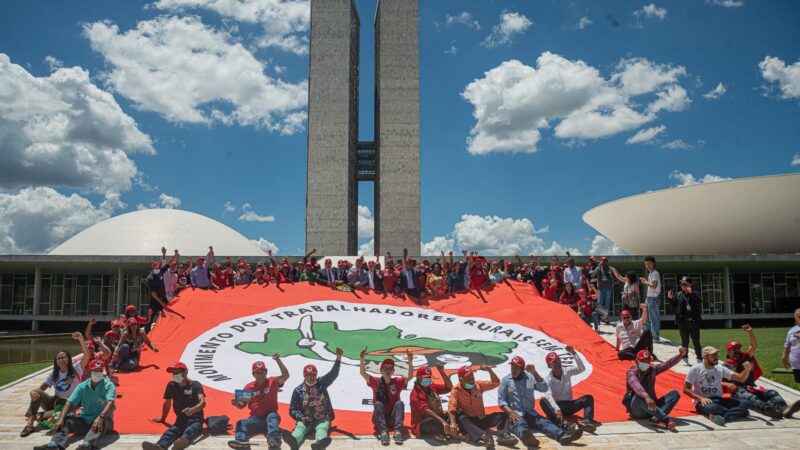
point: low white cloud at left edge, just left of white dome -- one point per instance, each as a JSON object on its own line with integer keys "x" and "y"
{"x": 34, "y": 220}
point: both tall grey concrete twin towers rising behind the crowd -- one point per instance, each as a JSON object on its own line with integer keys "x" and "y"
{"x": 337, "y": 160}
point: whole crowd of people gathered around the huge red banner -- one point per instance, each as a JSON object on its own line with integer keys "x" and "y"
{"x": 721, "y": 392}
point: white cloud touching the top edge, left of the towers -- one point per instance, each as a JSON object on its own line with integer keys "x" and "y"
{"x": 285, "y": 22}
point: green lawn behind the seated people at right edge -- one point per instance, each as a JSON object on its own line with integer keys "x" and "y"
{"x": 770, "y": 346}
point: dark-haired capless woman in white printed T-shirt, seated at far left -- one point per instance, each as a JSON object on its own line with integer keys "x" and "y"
{"x": 64, "y": 378}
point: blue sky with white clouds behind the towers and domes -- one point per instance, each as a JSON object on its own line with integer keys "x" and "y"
{"x": 532, "y": 112}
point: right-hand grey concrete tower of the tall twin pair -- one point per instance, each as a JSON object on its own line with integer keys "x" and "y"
{"x": 397, "y": 186}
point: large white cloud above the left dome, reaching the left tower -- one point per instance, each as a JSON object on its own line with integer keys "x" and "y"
{"x": 189, "y": 72}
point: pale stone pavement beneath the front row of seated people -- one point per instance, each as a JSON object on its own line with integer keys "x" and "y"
{"x": 694, "y": 432}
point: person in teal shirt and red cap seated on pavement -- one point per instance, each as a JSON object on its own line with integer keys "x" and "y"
{"x": 96, "y": 395}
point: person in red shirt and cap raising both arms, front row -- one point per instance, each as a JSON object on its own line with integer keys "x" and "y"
{"x": 386, "y": 389}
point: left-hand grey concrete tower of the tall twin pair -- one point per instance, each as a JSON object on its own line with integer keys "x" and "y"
{"x": 331, "y": 187}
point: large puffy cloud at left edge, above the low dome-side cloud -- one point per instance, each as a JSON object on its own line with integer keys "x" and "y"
{"x": 62, "y": 130}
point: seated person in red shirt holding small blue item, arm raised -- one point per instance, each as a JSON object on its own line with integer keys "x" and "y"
{"x": 263, "y": 406}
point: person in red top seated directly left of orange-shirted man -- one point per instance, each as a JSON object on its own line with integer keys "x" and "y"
{"x": 427, "y": 416}
